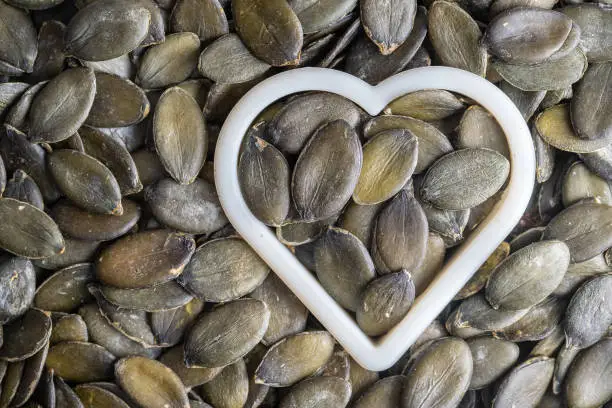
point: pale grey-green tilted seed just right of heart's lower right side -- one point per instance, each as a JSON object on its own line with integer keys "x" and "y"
{"x": 528, "y": 276}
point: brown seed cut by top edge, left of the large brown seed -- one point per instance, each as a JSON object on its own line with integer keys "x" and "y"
{"x": 205, "y": 18}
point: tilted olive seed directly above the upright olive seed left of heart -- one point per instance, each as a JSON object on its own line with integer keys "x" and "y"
{"x": 170, "y": 62}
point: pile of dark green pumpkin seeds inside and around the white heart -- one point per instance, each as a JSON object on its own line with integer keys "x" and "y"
{"x": 122, "y": 284}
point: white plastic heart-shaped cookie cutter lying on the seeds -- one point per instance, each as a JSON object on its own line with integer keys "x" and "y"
{"x": 380, "y": 353}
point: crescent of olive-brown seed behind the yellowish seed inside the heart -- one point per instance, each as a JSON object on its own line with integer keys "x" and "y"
{"x": 432, "y": 144}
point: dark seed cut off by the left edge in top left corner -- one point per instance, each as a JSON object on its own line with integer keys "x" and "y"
{"x": 18, "y": 48}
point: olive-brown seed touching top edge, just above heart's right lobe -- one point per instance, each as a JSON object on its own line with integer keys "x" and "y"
{"x": 456, "y": 37}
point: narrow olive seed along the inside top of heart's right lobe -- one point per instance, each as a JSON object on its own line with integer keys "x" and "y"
{"x": 427, "y": 105}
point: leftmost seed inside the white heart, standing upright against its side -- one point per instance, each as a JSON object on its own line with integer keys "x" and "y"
{"x": 264, "y": 176}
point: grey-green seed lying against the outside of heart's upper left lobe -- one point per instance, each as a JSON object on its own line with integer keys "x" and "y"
{"x": 228, "y": 60}
